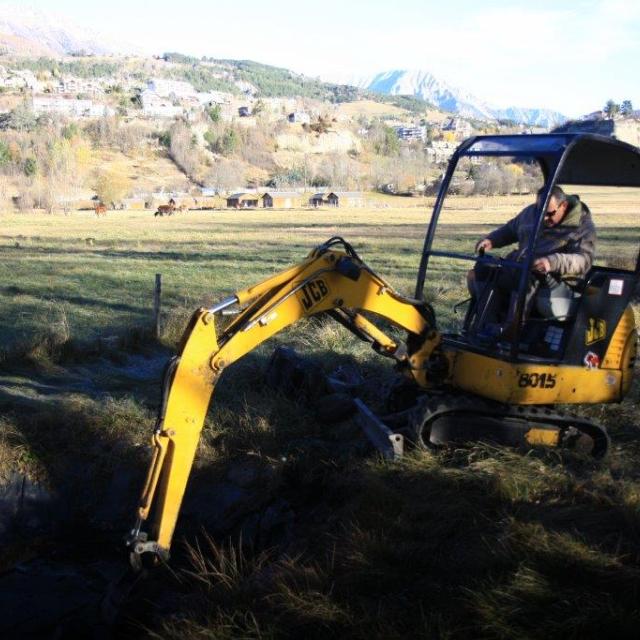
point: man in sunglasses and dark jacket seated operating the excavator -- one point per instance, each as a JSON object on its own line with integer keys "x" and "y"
{"x": 563, "y": 255}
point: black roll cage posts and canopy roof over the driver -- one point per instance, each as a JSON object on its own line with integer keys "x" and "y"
{"x": 585, "y": 159}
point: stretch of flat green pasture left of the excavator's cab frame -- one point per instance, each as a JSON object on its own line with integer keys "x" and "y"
{"x": 78, "y": 277}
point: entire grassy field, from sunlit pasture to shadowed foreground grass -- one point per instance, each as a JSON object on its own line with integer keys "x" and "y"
{"x": 481, "y": 542}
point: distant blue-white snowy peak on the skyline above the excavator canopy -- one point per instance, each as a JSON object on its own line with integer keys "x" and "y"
{"x": 426, "y": 86}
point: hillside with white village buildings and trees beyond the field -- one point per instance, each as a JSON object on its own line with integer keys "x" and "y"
{"x": 137, "y": 131}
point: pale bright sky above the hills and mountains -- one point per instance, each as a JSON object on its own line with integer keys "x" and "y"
{"x": 568, "y": 56}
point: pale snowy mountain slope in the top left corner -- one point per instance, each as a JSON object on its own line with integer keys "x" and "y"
{"x": 55, "y": 33}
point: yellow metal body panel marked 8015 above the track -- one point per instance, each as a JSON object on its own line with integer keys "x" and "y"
{"x": 519, "y": 383}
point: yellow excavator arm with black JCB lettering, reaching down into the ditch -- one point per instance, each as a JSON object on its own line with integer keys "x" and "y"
{"x": 329, "y": 280}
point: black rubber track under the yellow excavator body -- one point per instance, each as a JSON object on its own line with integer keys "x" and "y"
{"x": 430, "y": 408}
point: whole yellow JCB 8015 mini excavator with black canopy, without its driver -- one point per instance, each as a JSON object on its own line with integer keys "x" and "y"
{"x": 464, "y": 387}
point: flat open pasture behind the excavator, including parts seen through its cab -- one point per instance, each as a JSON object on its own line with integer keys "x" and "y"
{"x": 79, "y": 278}
